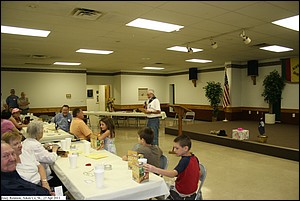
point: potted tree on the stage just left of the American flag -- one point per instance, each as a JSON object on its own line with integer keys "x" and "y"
{"x": 213, "y": 92}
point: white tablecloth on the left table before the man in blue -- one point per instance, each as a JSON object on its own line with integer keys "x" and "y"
{"x": 50, "y": 134}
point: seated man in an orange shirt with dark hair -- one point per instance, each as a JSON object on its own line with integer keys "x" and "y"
{"x": 78, "y": 126}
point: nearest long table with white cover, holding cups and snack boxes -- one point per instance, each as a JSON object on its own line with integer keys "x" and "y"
{"x": 118, "y": 182}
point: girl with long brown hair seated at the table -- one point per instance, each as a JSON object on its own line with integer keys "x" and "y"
{"x": 107, "y": 134}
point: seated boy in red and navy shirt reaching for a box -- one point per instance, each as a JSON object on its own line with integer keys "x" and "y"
{"x": 187, "y": 171}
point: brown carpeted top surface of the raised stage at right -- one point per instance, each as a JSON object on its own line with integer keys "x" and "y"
{"x": 284, "y": 135}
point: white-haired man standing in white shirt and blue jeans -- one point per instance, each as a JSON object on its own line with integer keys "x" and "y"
{"x": 152, "y": 109}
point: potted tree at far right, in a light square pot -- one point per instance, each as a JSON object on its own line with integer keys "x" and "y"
{"x": 273, "y": 85}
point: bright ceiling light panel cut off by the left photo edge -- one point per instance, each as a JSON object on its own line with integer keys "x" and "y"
{"x": 24, "y": 31}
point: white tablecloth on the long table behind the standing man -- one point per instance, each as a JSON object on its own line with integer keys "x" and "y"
{"x": 121, "y": 113}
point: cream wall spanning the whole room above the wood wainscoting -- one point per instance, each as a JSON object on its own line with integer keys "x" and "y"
{"x": 49, "y": 89}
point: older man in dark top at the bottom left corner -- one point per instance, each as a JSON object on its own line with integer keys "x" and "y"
{"x": 11, "y": 182}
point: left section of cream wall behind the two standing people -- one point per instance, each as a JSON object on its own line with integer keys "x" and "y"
{"x": 45, "y": 89}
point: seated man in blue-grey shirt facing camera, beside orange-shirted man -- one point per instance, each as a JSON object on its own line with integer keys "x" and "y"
{"x": 63, "y": 119}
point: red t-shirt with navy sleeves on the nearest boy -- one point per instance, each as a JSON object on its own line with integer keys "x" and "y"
{"x": 188, "y": 175}
